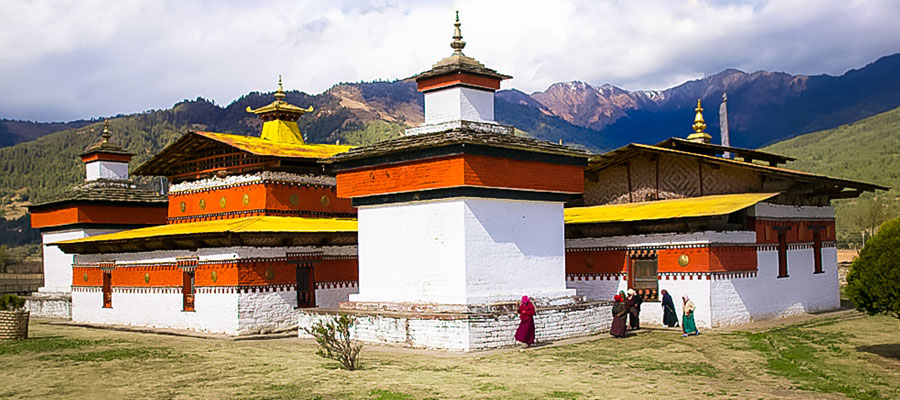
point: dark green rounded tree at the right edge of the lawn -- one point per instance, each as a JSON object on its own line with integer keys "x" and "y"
{"x": 873, "y": 283}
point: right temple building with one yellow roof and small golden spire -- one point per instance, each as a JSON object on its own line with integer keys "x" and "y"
{"x": 745, "y": 238}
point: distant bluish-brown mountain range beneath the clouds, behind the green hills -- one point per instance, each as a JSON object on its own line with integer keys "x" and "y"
{"x": 763, "y": 108}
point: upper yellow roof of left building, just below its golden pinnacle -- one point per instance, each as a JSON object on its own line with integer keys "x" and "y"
{"x": 264, "y": 147}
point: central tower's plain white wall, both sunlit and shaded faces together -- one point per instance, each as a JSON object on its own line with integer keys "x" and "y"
{"x": 452, "y": 251}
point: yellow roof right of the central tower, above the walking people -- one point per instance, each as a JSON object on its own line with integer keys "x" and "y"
{"x": 705, "y": 206}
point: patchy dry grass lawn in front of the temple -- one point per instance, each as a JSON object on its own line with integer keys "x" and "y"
{"x": 838, "y": 355}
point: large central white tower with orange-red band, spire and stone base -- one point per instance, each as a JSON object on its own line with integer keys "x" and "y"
{"x": 457, "y": 220}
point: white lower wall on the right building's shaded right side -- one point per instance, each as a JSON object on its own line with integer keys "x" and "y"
{"x": 766, "y": 296}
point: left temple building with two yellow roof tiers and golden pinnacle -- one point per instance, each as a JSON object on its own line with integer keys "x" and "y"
{"x": 253, "y": 230}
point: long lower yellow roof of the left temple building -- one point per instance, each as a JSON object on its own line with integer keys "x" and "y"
{"x": 256, "y": 224}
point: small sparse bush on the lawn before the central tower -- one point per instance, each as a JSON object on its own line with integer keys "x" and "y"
{"x": 334, "y": 341}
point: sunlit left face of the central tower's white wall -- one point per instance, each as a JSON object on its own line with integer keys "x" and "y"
{"x": 418, "y": 261}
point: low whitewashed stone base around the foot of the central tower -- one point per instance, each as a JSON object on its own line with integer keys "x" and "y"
{"x": 493, "y": 326}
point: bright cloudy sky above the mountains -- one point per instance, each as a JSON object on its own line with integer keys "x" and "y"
{"x": 64, "y": 60}
